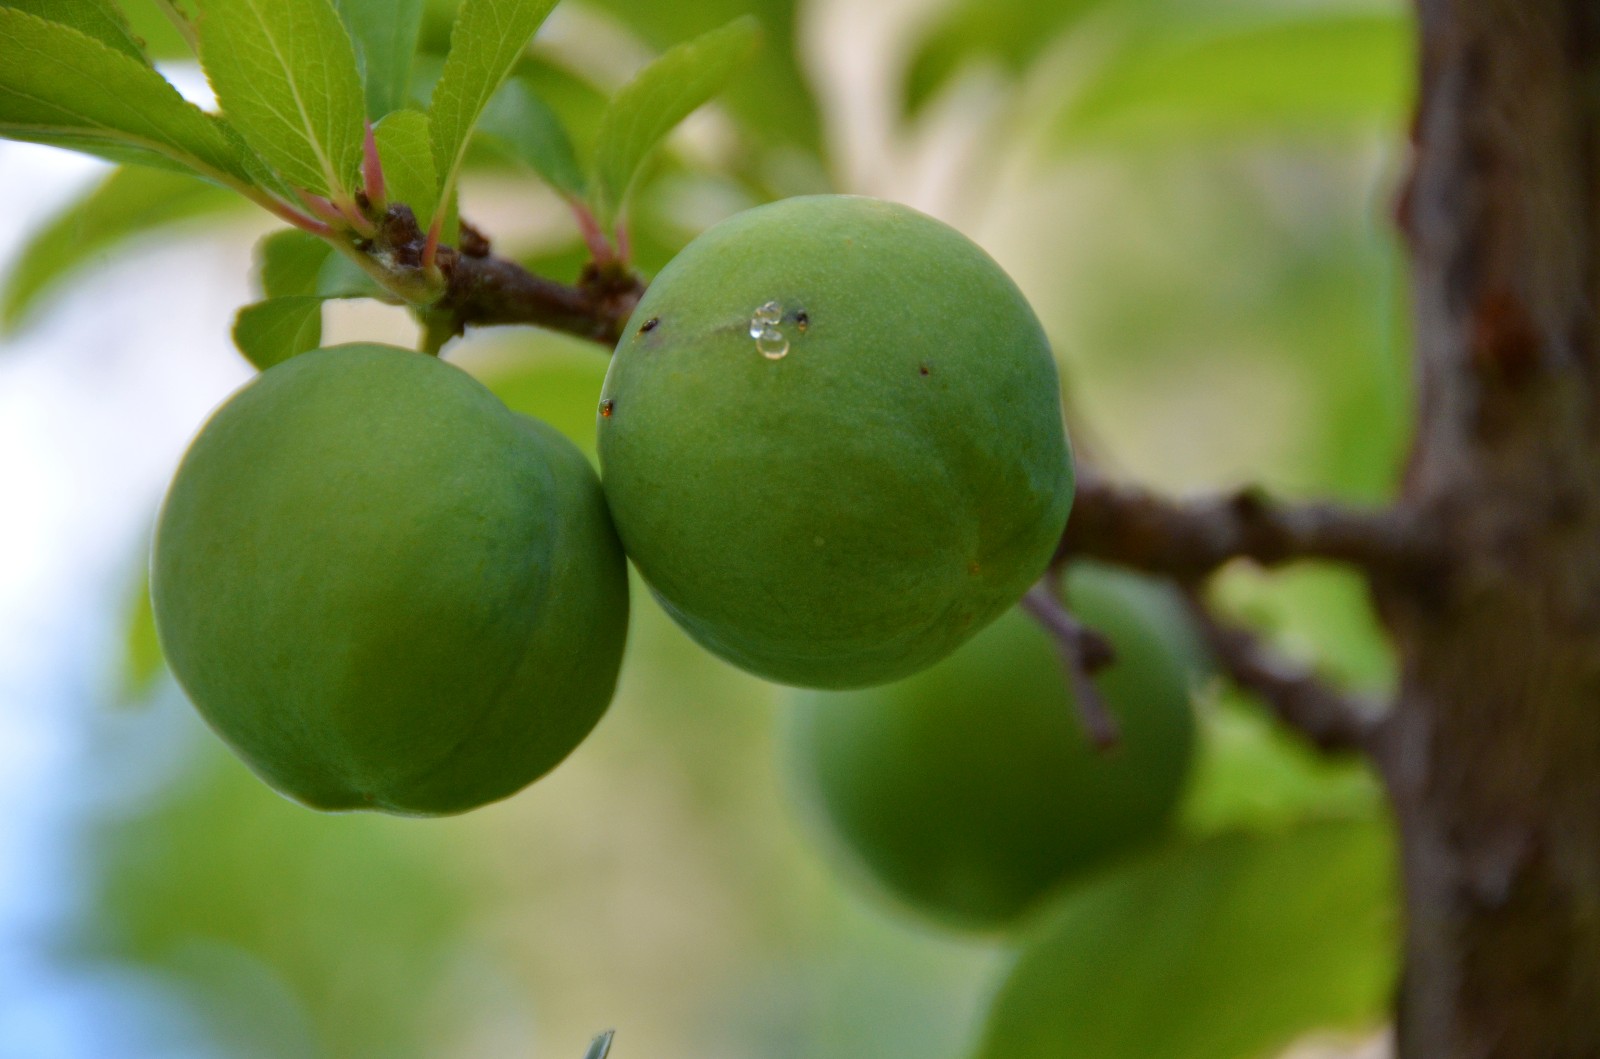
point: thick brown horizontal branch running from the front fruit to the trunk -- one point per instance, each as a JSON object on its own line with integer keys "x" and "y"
{"x": 1188, "y": 540}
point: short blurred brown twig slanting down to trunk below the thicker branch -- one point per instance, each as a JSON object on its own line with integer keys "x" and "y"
{"x": 1334, "y": 721}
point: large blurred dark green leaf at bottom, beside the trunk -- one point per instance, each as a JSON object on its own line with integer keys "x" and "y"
{"x": 1225, "y": 949}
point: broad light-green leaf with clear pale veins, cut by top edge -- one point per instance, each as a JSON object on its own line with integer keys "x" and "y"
{"x": 286, "y": 76}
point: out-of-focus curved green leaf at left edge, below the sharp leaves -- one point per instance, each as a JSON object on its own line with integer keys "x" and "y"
{"x": 127, "y": 204}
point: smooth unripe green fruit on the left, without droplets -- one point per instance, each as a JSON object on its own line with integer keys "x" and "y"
{"x": 385, "y": 589}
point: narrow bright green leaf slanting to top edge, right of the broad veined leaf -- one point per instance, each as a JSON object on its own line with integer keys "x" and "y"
{"x": 486, "y": 42}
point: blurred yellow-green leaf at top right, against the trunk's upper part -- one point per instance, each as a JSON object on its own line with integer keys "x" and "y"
{"x": 1305, "y": 73}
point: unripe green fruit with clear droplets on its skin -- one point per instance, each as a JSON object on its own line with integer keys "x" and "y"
{"x": 833, "y": 442}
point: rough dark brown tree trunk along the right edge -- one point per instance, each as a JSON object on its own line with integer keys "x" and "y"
{"x": 1494, "y": 753}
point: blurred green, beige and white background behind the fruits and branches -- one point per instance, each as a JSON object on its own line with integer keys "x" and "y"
{"x": 1194, "y": 194}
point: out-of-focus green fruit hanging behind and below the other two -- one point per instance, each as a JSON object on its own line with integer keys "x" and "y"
{"x": 970, "y": 791}
